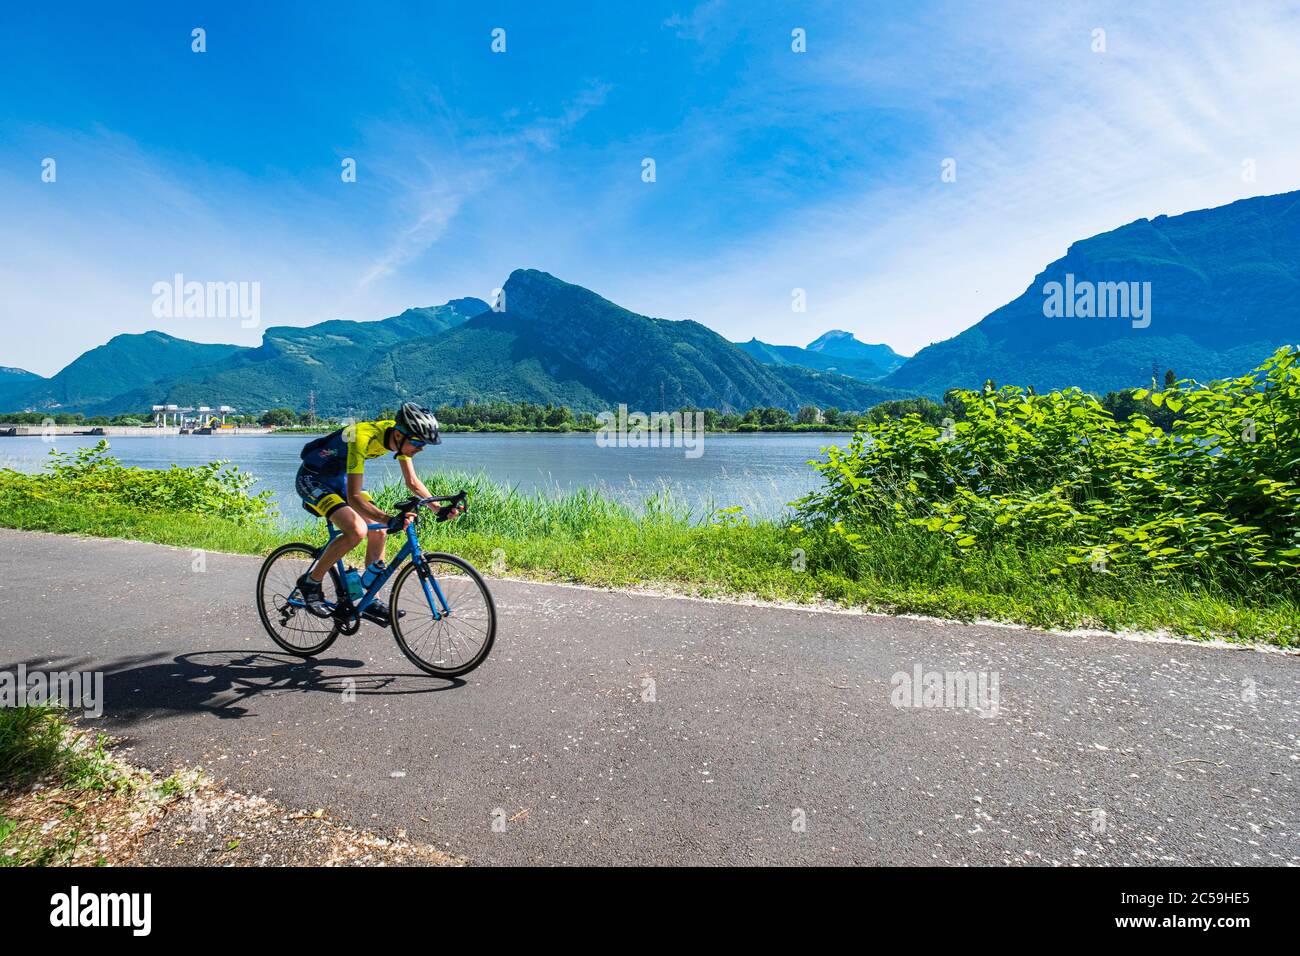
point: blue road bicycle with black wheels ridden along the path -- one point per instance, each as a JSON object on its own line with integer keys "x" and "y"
{"x": 441, "y": 611}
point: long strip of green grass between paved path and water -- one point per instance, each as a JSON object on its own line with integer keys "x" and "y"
{"x": 586, "y": 538}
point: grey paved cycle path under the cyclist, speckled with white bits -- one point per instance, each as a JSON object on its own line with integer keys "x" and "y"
{"x": 630, "y": 729}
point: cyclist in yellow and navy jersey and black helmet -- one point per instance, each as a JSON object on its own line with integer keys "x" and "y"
{"x": 332, "y": 485}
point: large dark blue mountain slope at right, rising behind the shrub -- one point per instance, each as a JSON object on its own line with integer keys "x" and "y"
{"x": 1224, "y": 295}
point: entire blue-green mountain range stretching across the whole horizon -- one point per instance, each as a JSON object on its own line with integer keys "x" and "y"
{"x": 1207, "y": 295}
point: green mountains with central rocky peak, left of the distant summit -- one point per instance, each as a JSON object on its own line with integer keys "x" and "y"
{"x": 556, "y": 343}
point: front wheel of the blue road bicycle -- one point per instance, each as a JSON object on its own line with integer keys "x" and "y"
{"x": 448, "y": 622}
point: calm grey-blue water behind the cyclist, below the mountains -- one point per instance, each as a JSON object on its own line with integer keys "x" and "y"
{"x": 761, "y": 473}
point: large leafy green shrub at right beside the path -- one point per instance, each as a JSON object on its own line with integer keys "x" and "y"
{"x": 1217, "y": 495}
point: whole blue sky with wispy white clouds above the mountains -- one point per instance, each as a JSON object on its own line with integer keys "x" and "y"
{"x": 775, "y": 170}
